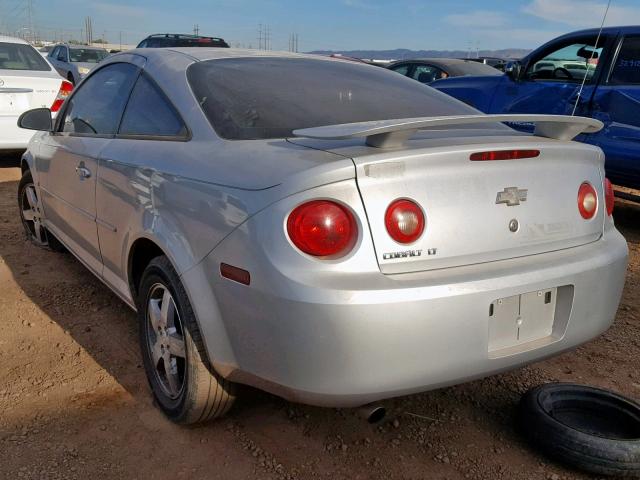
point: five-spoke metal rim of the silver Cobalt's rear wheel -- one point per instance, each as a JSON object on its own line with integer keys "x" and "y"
{"x": 165, "y": 338}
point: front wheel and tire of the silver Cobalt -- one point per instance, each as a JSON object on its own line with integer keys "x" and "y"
{"x": 31, "y": 211}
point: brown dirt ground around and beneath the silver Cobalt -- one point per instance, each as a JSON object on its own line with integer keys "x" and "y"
{"x": 74, "y": 402}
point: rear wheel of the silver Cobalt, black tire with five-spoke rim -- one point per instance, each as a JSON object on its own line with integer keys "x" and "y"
{"x": 184, "y": 385}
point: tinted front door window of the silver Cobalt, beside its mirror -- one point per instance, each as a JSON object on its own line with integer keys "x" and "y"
{"x": 96, "y": 107}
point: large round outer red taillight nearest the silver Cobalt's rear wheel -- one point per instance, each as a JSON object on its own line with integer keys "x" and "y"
{"x": 322, "y": 228}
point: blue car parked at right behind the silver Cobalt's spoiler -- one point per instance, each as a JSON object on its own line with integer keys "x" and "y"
{"x": 573, "y": 74}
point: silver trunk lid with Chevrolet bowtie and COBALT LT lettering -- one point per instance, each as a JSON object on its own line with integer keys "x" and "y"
{"x": 464, "y": 223}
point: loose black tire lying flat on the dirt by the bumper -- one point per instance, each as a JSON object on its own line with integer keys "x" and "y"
{"x": 590, "y": 428}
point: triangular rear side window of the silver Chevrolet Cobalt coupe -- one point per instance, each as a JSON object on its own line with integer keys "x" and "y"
{"x": 150, "y": 113}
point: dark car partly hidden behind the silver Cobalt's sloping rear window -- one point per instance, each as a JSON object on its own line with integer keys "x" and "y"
{"x": 427, "y": 70}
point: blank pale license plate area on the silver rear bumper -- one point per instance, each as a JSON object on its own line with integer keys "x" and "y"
{"x": 521, "y": 318}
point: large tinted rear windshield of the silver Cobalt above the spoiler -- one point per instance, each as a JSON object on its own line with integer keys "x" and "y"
{"x": 258, "y": 98}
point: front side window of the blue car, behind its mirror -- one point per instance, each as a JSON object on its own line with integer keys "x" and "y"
{"x": 570, "y": 63}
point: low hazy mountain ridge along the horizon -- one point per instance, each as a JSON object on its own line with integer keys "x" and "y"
{"x": 401, "y": 53}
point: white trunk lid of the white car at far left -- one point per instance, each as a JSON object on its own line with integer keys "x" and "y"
{"x": 23, "y": 90}
